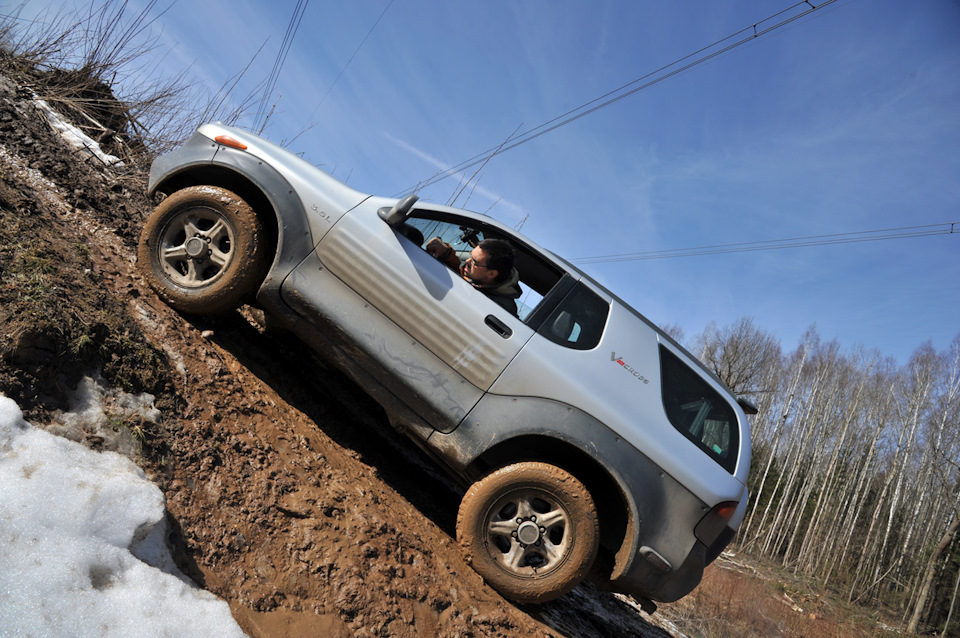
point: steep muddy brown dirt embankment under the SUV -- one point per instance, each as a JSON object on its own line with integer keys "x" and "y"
{"x": 288, "y": 494}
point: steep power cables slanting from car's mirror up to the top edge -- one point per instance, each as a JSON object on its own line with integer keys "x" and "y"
{"x": 687, "y": 62}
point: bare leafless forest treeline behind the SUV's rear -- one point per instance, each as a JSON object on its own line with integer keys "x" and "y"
{"x": 855, "y": 482}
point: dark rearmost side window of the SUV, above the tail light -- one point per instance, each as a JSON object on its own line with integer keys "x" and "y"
{"x": 698, "y": 411}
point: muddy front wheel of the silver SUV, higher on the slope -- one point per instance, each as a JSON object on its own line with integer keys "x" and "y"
{"x": 203, "y": 250}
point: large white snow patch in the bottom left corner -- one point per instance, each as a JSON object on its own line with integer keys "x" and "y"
{"x": 68, "y": 519}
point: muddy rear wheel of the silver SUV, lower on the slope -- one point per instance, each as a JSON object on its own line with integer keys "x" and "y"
{"x": 531, "y": 531}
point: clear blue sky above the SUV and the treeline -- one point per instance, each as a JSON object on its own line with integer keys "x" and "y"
{"x": 847, "y": 120}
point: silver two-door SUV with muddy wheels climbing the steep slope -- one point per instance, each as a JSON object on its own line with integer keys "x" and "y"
{"x": 588, "y": 441}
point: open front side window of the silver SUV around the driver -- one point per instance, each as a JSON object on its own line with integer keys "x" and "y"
{"x": 537, "y": 275}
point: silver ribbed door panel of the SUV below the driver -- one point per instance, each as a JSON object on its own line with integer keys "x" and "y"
{"x": 414, "y": 319}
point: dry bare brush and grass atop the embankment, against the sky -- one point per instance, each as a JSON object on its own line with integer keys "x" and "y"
{"x": 99, "y": 64}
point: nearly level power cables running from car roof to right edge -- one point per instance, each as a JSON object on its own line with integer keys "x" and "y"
{"x": 947, "y": 228}
